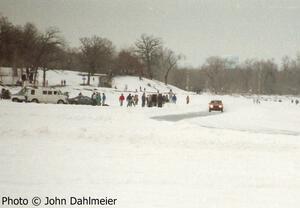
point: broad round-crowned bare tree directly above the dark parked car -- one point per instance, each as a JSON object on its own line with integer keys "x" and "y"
{"x": 96, "y": 55}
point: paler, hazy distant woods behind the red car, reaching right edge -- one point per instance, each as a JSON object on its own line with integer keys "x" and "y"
{"x": 252, "y": 76}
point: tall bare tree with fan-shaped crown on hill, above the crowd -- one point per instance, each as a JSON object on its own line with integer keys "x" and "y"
{"x": 148, "y": 48}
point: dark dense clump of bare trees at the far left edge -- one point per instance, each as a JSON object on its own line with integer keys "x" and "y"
{"x": 26, "y": 47}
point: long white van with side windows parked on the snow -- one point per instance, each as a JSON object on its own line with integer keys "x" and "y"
{"x": 40, "y": 95}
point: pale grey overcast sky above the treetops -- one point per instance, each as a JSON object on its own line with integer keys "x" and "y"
{"x": 196, "y": 28}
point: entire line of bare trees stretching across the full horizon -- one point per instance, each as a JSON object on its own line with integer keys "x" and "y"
{"x": 29, "y": 48}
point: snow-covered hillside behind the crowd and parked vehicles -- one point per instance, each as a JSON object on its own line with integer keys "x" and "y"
{"x": 119, "y": 84}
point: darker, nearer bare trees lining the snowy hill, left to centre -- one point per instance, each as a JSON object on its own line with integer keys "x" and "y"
{"x": 28, "y": 48}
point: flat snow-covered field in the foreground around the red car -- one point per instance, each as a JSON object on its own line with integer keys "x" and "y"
{"x": 176, "y": 156}
